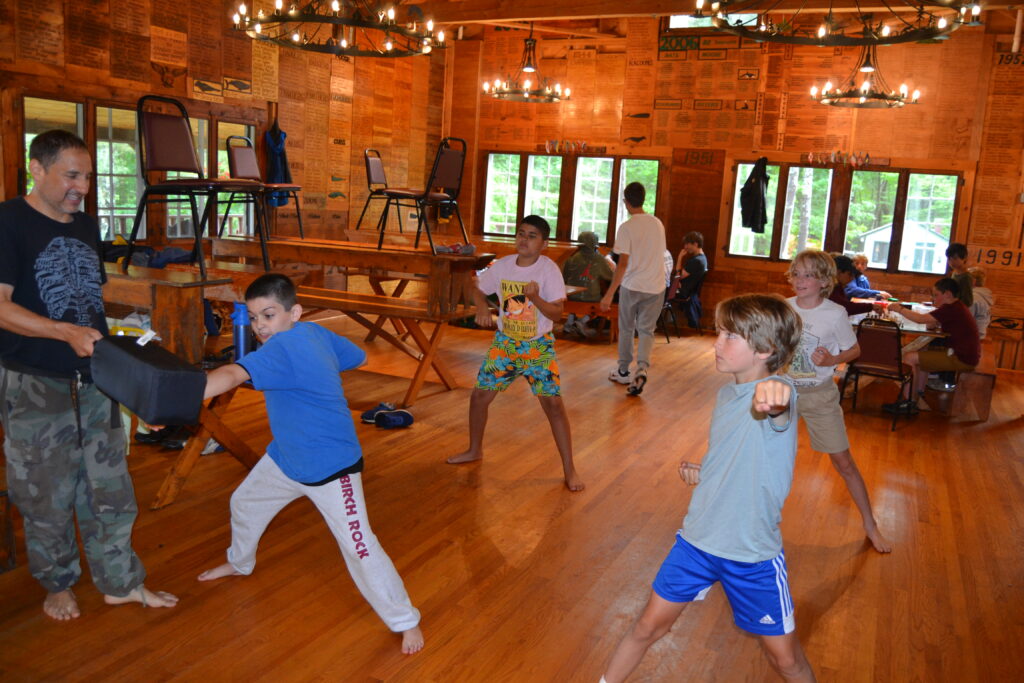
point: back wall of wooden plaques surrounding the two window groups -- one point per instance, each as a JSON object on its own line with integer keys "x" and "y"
{"x": 672, "y": 99}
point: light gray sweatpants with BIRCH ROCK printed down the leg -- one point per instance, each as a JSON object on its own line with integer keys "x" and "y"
{"x": 268, "y": 490}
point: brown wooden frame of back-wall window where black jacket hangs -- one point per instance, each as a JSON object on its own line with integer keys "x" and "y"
{"x": 839, "y": 203}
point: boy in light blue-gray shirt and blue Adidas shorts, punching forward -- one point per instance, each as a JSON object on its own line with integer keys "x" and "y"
{"x": 731, "y": 534}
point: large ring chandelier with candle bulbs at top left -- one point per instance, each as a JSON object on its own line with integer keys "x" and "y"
{"x": 344, "y": 28}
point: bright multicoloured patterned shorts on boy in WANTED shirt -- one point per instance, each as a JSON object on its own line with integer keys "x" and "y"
{"x": 508, "y": 359}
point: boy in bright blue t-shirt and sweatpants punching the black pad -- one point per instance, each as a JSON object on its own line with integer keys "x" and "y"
{"x": 315, "y": 452}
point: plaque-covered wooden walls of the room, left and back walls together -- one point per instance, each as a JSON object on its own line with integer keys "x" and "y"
{"x": 700, "y": 106}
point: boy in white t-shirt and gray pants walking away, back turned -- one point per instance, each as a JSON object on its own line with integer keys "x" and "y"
{"x": 642, "y": 273}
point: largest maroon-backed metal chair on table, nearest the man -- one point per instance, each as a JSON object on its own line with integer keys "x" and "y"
{"x": 166, "y": 146}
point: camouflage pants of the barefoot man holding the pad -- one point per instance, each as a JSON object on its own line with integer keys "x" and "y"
{"x": 53, "y": 480}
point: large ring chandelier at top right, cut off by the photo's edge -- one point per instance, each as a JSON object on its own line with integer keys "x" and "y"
{"x": 914, "y": 21}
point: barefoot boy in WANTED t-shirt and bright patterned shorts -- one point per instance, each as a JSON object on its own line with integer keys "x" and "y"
{"x": 531, "y": 294}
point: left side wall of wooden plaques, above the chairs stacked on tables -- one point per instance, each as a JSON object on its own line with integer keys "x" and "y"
{"x": 331, "y": 109}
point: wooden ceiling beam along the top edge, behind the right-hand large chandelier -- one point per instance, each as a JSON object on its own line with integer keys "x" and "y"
{"x": 466, "y": 12}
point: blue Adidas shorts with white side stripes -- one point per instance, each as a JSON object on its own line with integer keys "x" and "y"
{"x": 758, "y": 592}
